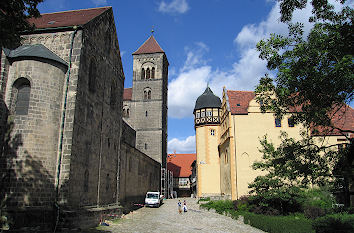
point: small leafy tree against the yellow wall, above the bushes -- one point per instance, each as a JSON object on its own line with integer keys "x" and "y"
{"x": 296, "y": 163}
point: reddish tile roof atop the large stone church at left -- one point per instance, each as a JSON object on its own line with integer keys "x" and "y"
{"x": 67, "y": 18}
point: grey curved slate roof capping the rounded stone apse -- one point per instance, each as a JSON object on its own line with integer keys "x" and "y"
{"x": 37, "y": 50}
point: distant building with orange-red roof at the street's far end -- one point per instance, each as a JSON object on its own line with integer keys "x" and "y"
{"x": 181, "y": 167}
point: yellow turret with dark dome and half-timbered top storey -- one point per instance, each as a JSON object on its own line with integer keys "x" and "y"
{"x": 207, "y": 130}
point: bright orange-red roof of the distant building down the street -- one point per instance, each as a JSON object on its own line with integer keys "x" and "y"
{"x": 180, "y": 164}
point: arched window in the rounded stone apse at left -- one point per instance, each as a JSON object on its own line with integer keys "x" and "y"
{"x": 21, "y": 96}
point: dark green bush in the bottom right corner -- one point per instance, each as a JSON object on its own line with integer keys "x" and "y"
{"x": 339, "y": 223}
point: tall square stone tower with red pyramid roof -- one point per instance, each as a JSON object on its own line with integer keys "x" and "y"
{"x": 149, "y": 100}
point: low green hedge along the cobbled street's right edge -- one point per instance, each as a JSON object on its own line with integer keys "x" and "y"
{"x": 279, "y": 224}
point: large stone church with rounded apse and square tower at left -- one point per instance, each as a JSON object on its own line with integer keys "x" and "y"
{"x": 67, "y": 157}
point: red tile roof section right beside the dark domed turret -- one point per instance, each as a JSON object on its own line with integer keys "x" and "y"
{"x": 239, "y": 101}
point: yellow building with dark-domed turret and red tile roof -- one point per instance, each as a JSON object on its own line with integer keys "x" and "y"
{"x": 227, "y": 140}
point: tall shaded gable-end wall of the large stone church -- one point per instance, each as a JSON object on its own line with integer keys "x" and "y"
{"x": 94, "y": 159}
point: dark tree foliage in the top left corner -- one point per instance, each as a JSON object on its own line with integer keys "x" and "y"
{"x": 13, "y": 20}
